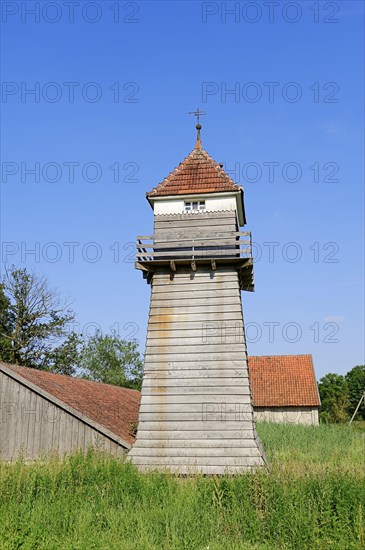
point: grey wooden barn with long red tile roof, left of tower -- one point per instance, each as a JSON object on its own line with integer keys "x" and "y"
{"x": 43, "y": 413}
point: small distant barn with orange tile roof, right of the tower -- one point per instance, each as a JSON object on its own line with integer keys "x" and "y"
{"x": 284, "y": 389}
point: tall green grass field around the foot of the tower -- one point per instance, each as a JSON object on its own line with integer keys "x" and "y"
{"x": 314, "y": 498}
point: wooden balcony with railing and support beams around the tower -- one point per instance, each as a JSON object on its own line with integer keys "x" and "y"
{"x": 233, "y": 247}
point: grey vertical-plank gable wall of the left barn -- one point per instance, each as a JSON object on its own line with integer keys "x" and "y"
{"x": 34, "y": 427}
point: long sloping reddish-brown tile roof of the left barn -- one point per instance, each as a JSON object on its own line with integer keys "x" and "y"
{"x": 113, "y": 407}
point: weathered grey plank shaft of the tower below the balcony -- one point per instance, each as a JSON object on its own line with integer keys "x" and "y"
{"x": 195, "y": 394}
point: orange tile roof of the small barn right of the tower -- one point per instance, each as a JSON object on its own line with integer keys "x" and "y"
{"x": 283, "y": 381}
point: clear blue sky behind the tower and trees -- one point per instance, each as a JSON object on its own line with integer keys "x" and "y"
{"x": 283, "y": 89}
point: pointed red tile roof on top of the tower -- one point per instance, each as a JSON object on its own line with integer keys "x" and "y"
{"x": 197, "y": 174}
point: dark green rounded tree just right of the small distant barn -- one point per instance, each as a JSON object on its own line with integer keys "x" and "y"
{"x": 334, "y": 393}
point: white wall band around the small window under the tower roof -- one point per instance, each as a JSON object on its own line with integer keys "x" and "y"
{"x": 177, "y": 205}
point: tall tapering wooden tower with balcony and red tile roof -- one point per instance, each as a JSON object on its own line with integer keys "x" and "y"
{"x": 196, "y": 411}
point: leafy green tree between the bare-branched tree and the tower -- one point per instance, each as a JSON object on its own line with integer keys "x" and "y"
{"x": 112, "y": 360}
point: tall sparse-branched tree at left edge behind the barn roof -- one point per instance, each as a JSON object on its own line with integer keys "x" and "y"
{"x": 34, "y": 324}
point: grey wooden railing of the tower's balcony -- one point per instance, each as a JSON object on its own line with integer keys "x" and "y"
{"x": 231, "y": 245}
